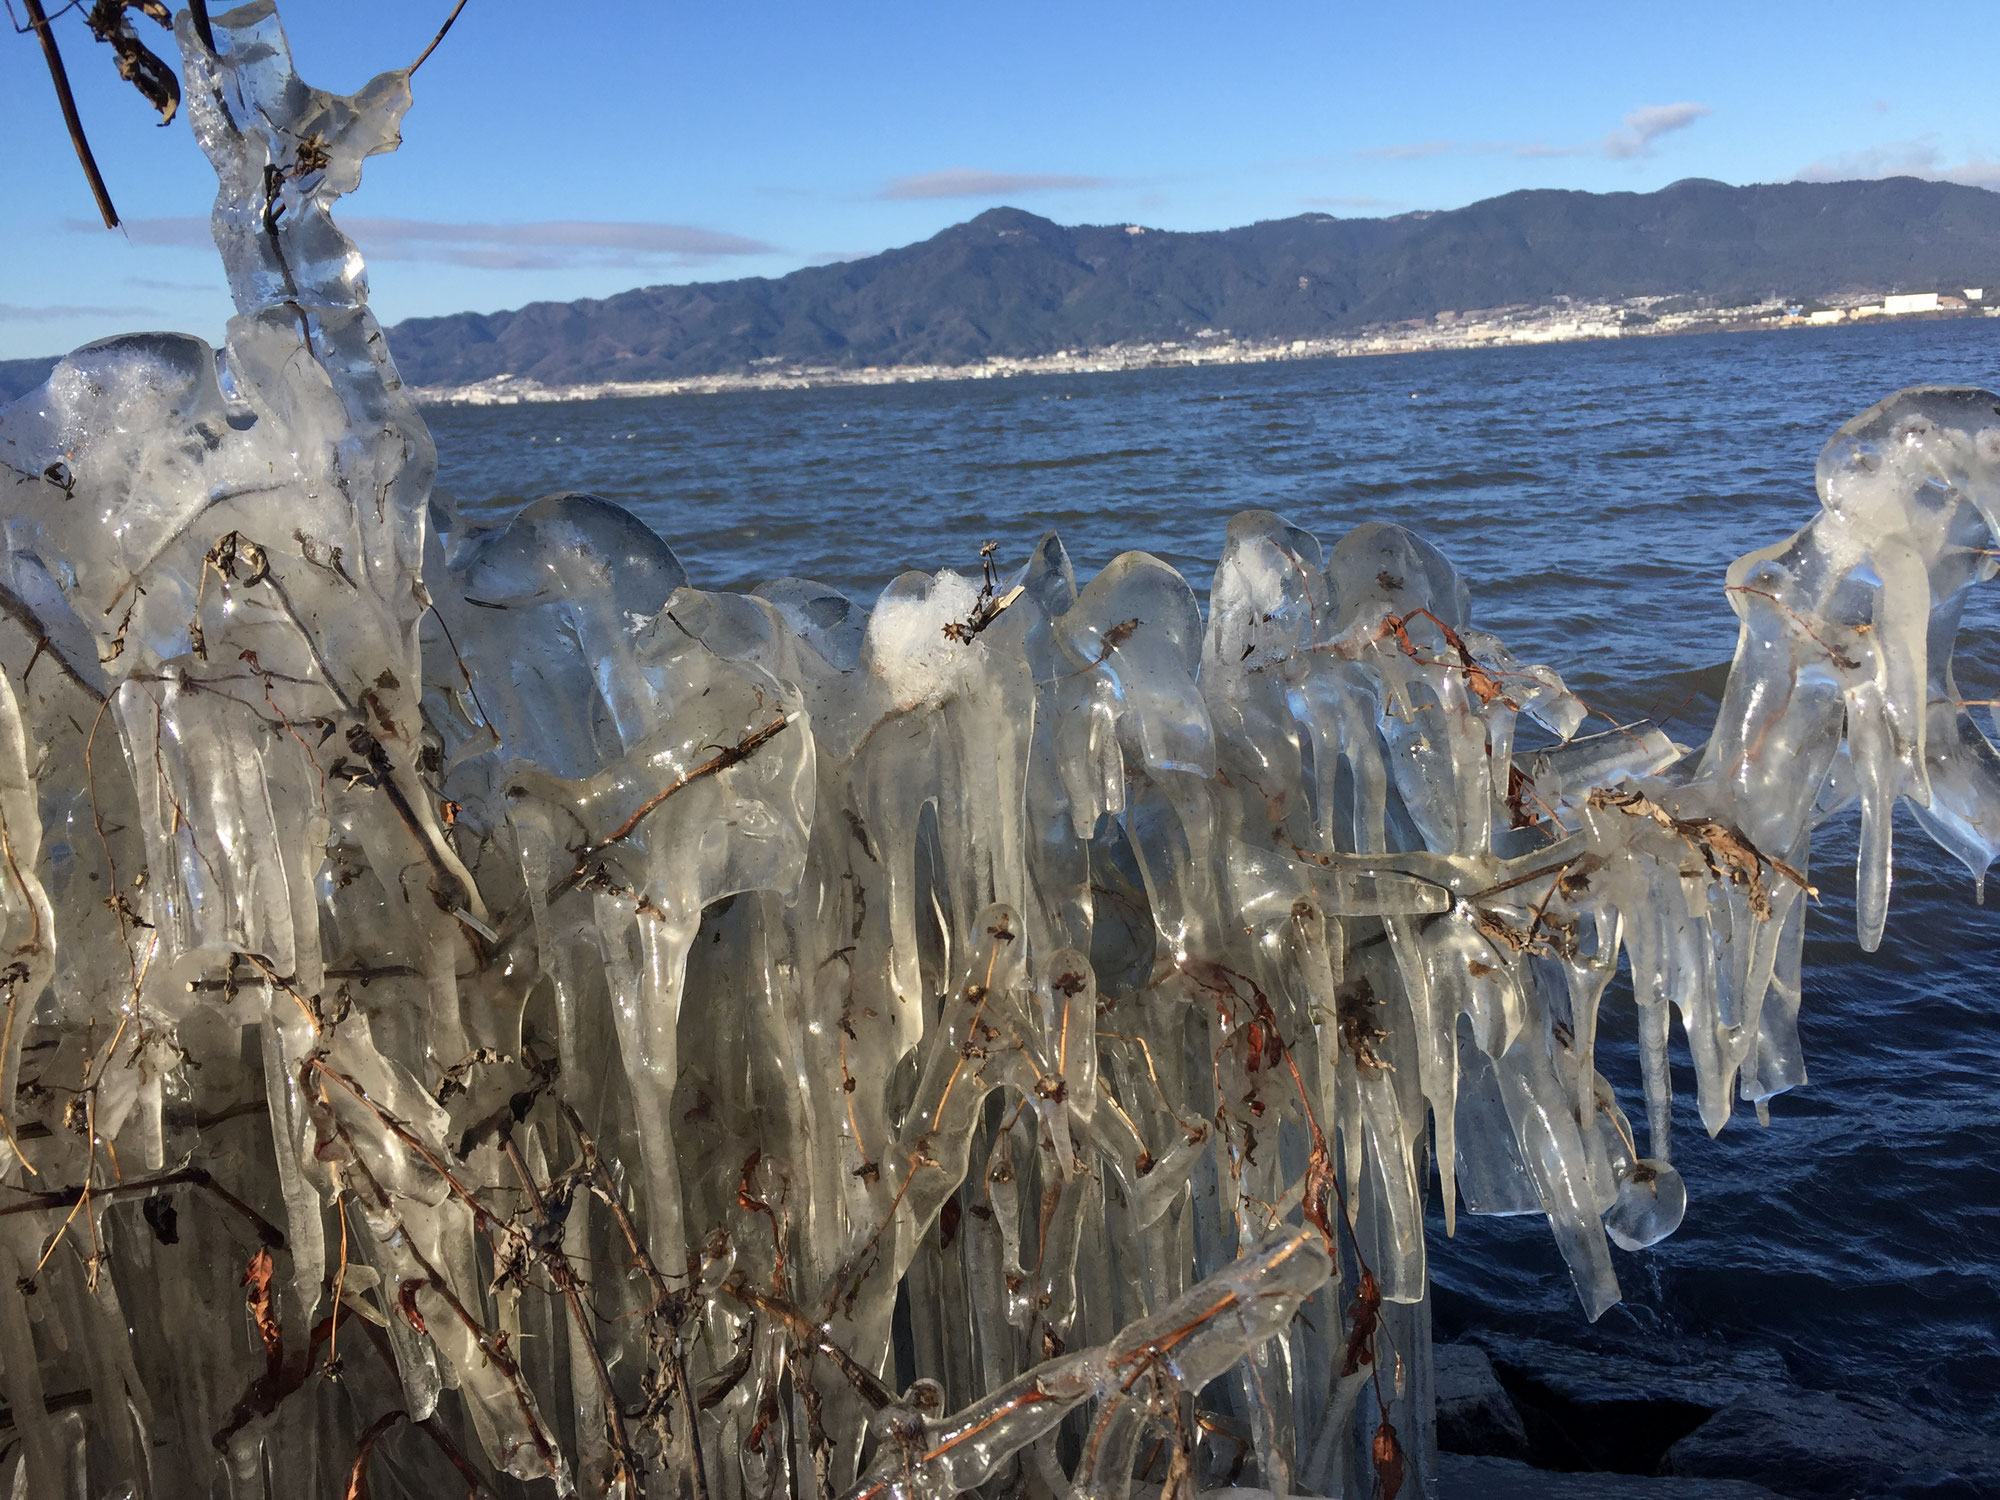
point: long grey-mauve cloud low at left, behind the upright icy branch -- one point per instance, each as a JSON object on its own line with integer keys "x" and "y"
{"x": 551, "y": 245}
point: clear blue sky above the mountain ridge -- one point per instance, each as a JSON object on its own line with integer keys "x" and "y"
{"x": 589, "y": 147}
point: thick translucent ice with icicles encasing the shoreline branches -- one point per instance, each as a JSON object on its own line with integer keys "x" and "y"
{"x": 491, "y": 1015}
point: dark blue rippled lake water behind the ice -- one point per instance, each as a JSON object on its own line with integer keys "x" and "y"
{"x": 1593, "y": 495}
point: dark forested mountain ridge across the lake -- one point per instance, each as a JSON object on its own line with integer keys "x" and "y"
{"x": 1015, "y": 285}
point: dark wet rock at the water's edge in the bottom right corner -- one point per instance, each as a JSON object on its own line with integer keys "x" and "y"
{"x": 1813, "y": 1443}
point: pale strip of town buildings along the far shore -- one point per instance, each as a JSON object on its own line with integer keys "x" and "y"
{"x": 1561, "y": 323}
